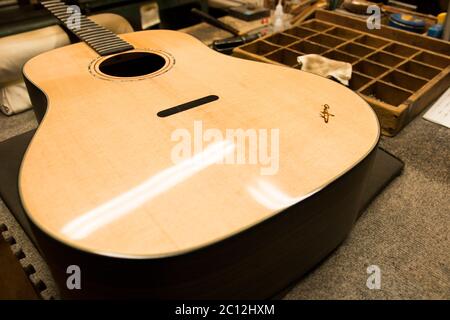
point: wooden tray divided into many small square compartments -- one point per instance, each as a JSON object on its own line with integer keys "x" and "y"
{"x": 397, "y": 72}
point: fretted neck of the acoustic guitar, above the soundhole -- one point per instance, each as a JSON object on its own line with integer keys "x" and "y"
{"x": 100, "y": 39}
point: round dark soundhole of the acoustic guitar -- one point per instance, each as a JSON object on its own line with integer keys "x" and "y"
{"x": 132, "y": 64}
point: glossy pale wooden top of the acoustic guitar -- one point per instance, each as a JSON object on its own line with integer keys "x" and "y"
{"x": 101, "y": 139}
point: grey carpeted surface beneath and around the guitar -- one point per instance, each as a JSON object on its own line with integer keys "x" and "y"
{"x": 405, "y": 231}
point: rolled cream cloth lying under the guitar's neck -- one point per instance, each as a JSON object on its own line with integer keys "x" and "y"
{"x": 17, "y": 49}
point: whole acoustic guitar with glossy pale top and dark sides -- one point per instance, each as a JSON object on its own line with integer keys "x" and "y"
{"x": 164, "y": 169}
